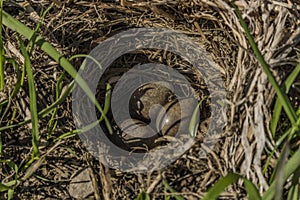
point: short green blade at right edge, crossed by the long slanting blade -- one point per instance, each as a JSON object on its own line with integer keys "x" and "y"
{"x": 278, "y": 106}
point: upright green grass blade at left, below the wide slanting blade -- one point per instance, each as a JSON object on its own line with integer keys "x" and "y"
{"x": 32, "y": 103}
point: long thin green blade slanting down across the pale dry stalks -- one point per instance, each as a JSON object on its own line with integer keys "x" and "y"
{"x": 281, "y": 95}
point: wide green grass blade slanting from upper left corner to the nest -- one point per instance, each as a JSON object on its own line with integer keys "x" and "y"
{"x": 17, "y": 26}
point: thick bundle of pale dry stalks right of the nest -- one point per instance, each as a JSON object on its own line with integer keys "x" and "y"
{"x": 276, "y": 30}
